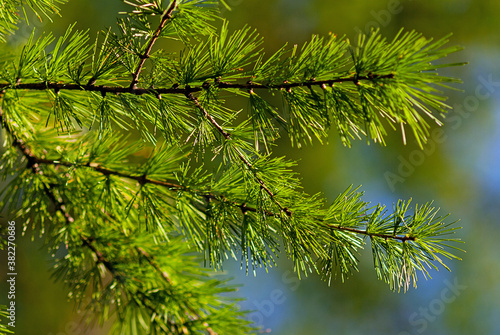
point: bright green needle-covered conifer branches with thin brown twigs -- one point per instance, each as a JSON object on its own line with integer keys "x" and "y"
{"x": 138, "y": 162}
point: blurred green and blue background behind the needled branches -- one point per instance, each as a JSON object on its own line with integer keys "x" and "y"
{"x": 458, "y": 170}
